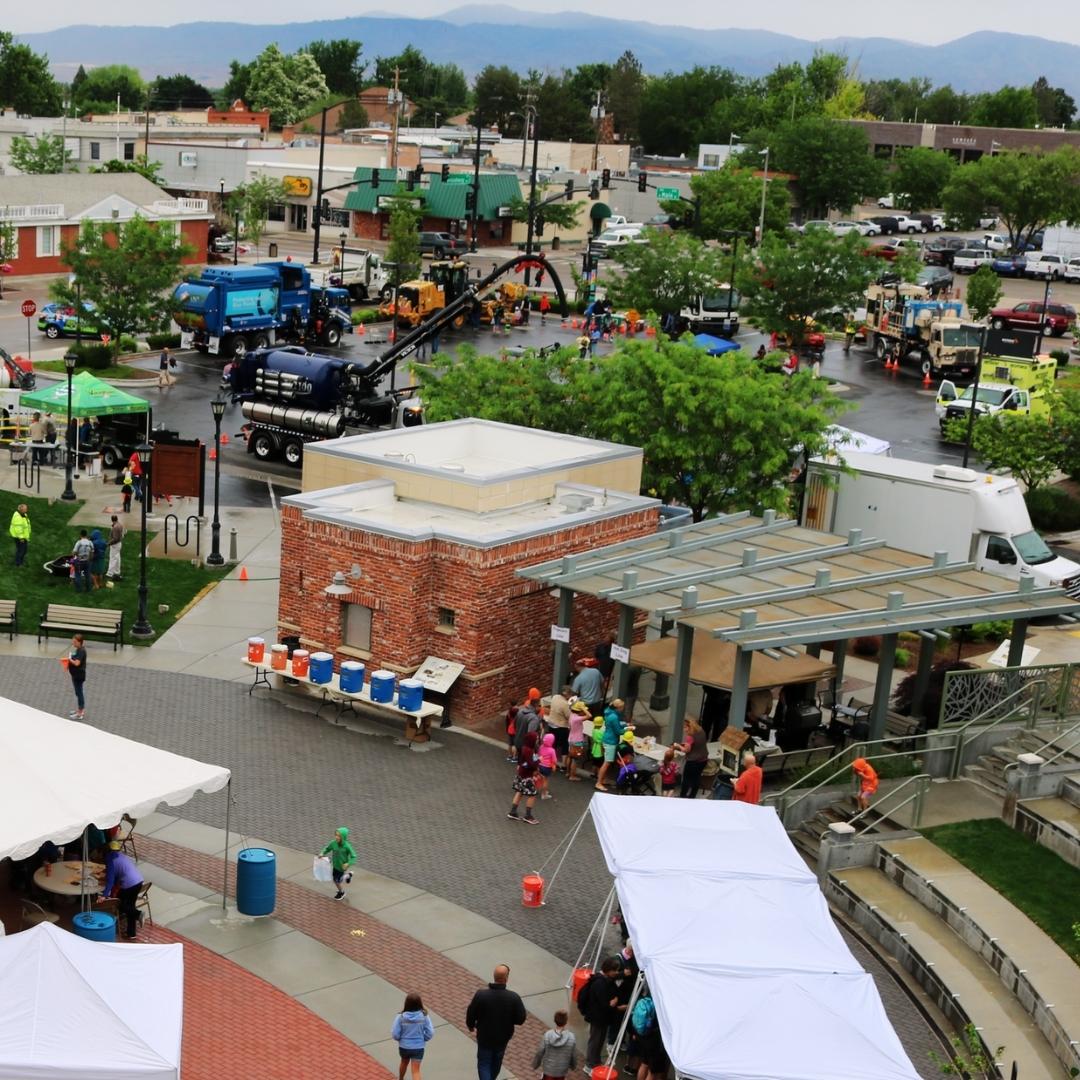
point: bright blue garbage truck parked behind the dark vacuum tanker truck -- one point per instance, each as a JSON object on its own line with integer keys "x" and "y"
{"x": 228, "y": 312}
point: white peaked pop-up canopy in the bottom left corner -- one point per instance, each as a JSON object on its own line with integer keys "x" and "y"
{"x": 72, "y": 1009}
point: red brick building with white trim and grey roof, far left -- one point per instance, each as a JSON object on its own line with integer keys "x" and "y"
{"x": 47, "y": 213}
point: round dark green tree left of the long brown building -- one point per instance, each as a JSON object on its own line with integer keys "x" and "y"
{"x": 832, "y": 164}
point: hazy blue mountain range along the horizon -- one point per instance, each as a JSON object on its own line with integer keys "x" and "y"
{"x": 480, "y": 34}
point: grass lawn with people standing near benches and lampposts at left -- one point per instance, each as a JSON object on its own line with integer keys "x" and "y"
{"x": 170, "y": 582}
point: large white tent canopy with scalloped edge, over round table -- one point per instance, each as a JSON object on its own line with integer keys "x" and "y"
{"x": 105, "y": 778}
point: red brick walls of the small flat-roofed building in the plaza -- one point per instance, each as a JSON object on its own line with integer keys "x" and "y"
{"x": 503, "y": 623}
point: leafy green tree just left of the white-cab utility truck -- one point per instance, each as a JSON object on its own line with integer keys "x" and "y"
{"x": 792, "y": 282}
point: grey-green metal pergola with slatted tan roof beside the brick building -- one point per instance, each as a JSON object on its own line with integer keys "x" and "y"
{"x": 768, "y": 585}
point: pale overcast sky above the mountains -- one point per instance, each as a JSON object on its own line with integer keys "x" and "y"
{"x": 925, "y": 21}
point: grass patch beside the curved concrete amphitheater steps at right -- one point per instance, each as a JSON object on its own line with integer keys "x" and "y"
{"x": 1045, "y": 887}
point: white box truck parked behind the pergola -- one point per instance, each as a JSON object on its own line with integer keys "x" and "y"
{"x": 977, "y": 518}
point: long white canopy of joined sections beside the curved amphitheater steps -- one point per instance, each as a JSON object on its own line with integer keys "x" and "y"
{"x": 750, "y": 977}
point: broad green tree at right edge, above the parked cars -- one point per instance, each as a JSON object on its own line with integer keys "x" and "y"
{"x": 1028, "y": 192}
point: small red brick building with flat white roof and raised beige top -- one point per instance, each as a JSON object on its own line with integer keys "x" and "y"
{"x": 429, "y": 526}
